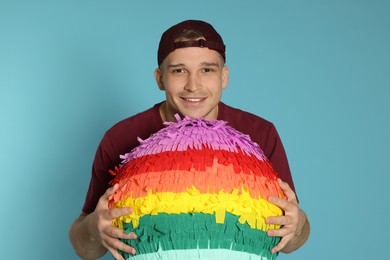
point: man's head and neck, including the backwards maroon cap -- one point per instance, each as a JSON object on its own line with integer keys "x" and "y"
{"x": 191, "y": 70}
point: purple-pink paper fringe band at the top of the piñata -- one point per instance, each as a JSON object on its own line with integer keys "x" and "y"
{"x": 190, "y": 133}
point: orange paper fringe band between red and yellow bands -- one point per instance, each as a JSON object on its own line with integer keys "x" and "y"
{"x": 211, "y": 181}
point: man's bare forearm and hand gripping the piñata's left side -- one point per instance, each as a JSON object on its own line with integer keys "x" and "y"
{"x": 93, "y": 234}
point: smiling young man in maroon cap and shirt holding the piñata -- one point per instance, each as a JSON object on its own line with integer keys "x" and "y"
{"x": 192, "y": 72}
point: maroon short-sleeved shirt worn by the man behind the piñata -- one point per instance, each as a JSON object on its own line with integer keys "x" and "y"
{"x": 122, "y": 138}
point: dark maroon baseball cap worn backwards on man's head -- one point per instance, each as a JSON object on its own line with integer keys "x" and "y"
{"x": 212, "y": 39}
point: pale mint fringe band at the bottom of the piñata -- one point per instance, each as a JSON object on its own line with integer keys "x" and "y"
{"x": 204, "y": 254}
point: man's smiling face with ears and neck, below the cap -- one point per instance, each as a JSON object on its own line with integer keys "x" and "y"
{"x": 193, "y": 79}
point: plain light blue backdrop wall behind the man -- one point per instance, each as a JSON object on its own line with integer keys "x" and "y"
{"x": 320, "y": 70}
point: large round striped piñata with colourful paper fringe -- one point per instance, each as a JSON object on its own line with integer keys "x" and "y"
{"x": 198, "y": 190}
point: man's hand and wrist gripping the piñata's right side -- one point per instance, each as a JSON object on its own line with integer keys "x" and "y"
{"x": 295, "y": 225}
